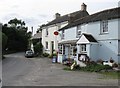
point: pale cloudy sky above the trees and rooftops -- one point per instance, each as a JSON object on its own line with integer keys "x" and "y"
{"x": 38, "y": 12}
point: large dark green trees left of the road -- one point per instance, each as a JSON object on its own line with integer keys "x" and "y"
{"x": 18, "y": 38}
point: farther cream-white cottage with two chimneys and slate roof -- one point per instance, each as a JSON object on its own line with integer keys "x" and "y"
{"x": 49, "y": 40}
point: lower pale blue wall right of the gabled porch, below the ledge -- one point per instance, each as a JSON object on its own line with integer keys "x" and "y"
{"x": 108, "y": 49}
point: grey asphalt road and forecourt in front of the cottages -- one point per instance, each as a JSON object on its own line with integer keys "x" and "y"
{"x": 21, "y": 71}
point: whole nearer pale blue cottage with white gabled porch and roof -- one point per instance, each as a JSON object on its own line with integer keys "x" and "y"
{"x": 96, "y": 36}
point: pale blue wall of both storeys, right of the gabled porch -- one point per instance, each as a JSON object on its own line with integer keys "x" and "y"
{"x": 106, "y": 49}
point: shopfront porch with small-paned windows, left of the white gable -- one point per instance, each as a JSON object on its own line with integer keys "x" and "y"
{"x": 67, "y": 51}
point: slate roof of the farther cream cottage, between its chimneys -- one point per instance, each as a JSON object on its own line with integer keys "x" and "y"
{"x": 75, "y": 15}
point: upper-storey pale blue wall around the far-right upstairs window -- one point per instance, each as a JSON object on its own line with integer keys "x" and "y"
{"x": 94, "y": 29}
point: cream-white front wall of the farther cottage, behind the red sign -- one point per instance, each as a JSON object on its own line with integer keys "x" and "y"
{"x": 51, "y": 37}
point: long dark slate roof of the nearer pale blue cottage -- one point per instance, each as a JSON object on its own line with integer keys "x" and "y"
{"x": 102, "y": 15}
